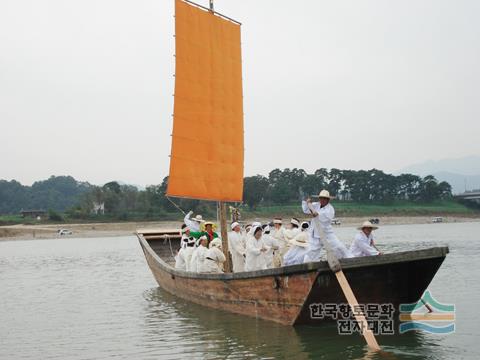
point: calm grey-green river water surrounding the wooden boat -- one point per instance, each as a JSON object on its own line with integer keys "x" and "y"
{"x": 95, "y": 298}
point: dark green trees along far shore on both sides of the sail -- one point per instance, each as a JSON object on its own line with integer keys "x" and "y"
{"x": 126, "y": 202}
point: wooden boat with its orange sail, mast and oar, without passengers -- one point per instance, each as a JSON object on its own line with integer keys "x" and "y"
{"x": 206, "y": 163}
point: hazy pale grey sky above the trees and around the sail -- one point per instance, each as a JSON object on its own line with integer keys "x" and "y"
{"x": 86, "y": 86}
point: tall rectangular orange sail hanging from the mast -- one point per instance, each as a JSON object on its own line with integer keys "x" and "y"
{"x": 206, "y": 161}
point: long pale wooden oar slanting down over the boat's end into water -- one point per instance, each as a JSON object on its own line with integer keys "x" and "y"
{"x": 335, "y": 266}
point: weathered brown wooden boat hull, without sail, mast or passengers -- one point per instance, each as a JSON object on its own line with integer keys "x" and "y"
{"x": 284, "y": 294}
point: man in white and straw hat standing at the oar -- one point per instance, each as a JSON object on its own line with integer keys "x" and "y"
{"x": 325, "y": 213}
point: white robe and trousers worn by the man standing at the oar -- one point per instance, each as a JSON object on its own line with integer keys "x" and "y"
{"x": 325, "y": 214}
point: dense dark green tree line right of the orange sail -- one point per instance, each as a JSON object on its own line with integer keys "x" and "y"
{"x": 288, "y": 185}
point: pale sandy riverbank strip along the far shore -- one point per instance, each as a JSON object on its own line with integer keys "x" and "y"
{"x": 29, "y": 232}
